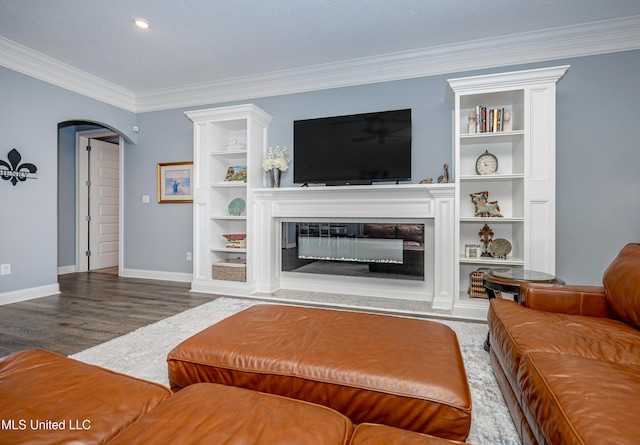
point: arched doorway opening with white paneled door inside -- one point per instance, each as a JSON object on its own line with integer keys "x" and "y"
{"x": 89, "y": 199}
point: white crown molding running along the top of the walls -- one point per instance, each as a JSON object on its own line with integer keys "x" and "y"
{"x": 552, "y": 44}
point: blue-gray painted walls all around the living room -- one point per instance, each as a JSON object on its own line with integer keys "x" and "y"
{"x": 598, "y": 159}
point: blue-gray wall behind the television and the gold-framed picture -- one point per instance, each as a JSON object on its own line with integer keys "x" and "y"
{"x": 157, "y": 236}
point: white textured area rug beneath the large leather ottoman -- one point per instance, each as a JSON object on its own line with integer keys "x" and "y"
{"x": 142, "y": 353}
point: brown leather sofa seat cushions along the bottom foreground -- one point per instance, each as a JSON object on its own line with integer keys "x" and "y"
{"x": 47, "y": 398}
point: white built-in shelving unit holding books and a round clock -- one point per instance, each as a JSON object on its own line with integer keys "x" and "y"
{"x": 524, "y": 184}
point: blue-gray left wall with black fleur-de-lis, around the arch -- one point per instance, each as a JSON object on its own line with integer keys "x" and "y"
{"x": 30, "y": 111}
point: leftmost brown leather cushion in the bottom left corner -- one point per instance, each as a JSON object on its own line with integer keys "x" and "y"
{"x": 48, "y": 398}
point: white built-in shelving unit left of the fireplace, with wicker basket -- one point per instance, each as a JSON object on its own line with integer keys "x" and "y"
{"x": 225, "y": 137}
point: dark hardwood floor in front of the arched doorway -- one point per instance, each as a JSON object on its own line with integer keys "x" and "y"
{"x": 91, "y": 309}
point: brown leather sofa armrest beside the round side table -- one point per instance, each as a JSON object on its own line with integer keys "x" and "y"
{"x": 565, "y": 299}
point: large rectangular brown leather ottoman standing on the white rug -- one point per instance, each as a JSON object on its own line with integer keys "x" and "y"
{"x": 401, "y": 372}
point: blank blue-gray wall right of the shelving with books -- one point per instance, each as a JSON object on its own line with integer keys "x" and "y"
{"x": 598, "y": 164}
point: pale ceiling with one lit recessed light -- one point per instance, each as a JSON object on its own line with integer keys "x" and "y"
{"x": 196, "y": 42}
